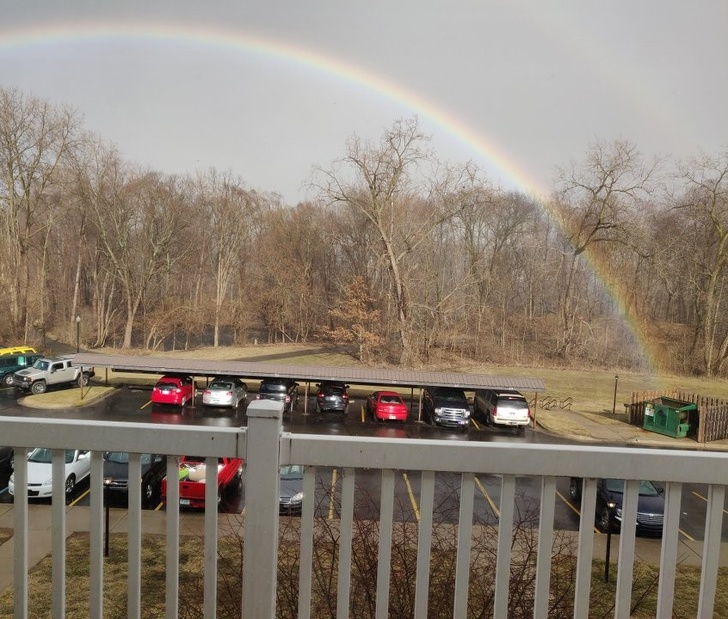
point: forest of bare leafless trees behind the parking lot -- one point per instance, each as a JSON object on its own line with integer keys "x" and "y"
{"x": 405, "y": 258}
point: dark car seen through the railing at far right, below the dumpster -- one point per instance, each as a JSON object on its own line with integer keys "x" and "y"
{"x": 650, "y": 504}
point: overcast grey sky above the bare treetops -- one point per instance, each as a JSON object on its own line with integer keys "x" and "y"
{"x": 269, "y": 89}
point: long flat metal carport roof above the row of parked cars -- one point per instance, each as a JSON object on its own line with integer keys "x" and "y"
{"x": 261, "y": 370}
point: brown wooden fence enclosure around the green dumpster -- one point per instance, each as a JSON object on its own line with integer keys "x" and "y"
{"x": 711, "y": 418}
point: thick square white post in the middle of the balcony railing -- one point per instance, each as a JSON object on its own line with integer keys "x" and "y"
{"x": 260, "y": 554}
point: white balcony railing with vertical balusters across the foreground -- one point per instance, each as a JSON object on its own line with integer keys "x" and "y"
{"x": 264, "y": 447}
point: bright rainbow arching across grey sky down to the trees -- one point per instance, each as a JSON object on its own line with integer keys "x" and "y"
{"x": 94, "y": 32}
